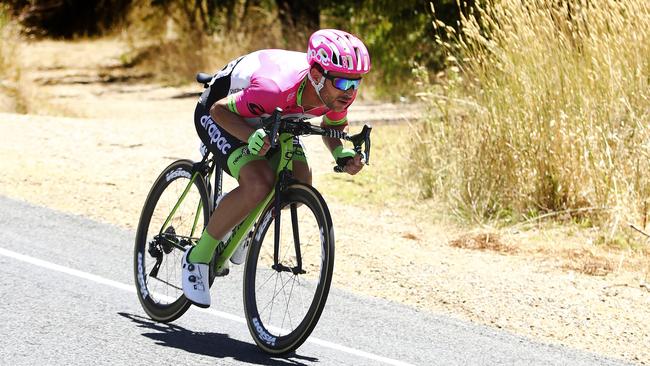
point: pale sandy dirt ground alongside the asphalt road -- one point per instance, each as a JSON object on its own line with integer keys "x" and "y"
{"x": 101, "y": 164}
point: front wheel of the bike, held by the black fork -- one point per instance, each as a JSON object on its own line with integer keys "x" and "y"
{"x": 286, "y": 287}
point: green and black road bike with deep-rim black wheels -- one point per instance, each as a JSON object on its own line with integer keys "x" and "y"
{"x": 288, "y": 240}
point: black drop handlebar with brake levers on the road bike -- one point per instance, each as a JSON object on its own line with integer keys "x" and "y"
{"x": 274, "y": 125}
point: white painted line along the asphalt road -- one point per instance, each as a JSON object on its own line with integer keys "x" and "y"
{"x": 221, "y": 314}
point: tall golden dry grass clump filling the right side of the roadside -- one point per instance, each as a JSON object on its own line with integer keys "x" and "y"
{"x": 544, "y": 109}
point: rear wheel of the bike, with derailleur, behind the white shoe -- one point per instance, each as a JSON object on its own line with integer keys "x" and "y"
{"x": 162, "y": 238}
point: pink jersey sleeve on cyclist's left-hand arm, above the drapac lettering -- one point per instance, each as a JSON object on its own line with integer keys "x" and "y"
{"x": 259, "y": 99}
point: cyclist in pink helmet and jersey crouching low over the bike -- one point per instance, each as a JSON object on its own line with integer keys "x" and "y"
{"x": 322, "y": 82}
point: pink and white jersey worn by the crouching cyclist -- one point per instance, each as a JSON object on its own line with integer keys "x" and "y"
{"x": 266, "y": 79}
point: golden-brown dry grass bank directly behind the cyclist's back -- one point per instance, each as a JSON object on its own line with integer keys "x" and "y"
{"x": 173, "y": 48}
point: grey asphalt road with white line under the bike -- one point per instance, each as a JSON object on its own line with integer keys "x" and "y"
{"x": 68, "y": 298}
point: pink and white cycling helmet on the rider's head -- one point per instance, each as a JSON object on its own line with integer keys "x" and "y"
{"x": 338, "y": 51}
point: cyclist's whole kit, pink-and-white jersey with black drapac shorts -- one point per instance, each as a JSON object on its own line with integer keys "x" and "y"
{"x": 255, "y": 85}
